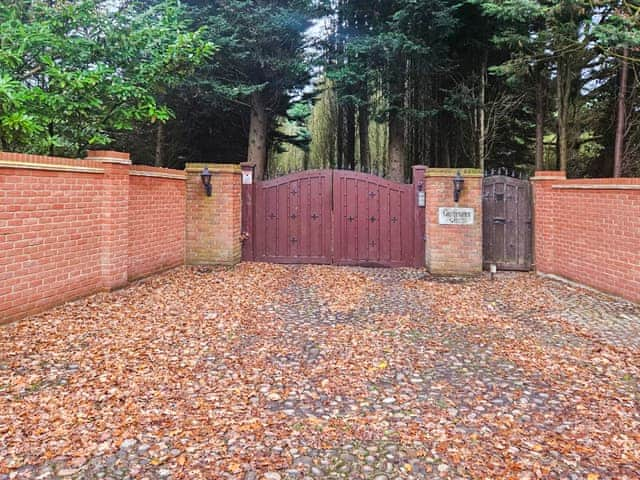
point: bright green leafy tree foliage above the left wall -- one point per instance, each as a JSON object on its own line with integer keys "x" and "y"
{"x": 72, "y": 73}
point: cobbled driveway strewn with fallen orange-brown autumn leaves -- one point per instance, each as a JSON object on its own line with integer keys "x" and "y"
{"x": 265, "y": 371}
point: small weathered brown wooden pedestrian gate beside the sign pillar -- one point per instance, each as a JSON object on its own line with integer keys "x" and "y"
{"x": 507, "y": 222}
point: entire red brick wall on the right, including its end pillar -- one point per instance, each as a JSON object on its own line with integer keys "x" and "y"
{"x": 588, "y": 231}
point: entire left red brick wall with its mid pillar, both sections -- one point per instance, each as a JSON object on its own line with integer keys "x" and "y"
{"x": 67, "y": 227}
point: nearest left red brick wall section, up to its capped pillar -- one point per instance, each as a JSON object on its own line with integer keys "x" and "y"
{"x": 50, "y": 231}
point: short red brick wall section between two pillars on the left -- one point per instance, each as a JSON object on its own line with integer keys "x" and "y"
{"x": 157, "y": 208}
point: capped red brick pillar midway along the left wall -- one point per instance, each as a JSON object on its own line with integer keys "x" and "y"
{"x": 114, "y": 241}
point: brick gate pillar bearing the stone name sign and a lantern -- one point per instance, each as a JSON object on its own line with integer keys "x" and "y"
{"x": 453, "y": 249}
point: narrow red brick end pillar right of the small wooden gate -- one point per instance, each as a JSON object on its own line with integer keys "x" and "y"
{"x": 543, "y": 217}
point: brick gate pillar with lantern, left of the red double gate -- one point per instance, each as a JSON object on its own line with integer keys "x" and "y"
{"x": 214, "y": 223}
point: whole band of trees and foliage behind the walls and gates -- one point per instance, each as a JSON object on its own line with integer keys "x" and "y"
{"x": 371, "y": 85}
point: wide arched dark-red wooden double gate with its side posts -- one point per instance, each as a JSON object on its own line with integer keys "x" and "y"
{"x": 333, "y": 217}
